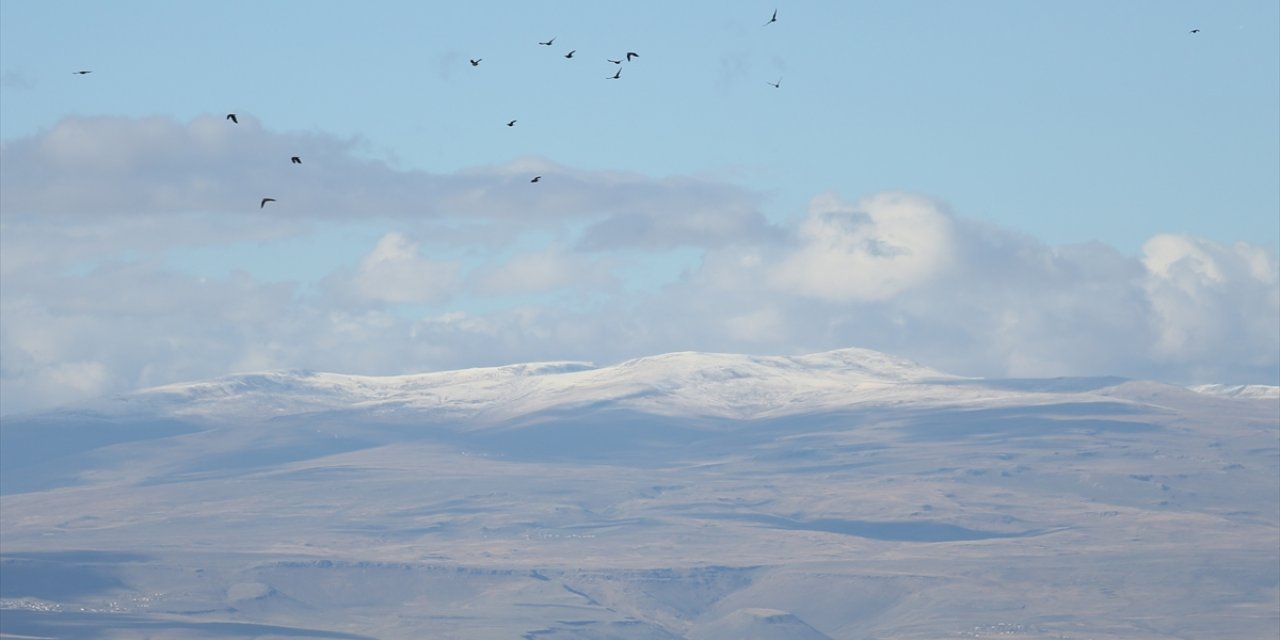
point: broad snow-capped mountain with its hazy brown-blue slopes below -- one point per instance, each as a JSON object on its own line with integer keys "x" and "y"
{"x": 840, "y": 495}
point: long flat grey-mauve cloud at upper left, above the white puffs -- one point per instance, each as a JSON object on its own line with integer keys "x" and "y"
{"x": 130, "y": 167}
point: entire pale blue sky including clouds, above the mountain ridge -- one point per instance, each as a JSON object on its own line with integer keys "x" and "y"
{"x": 998, "y": 189}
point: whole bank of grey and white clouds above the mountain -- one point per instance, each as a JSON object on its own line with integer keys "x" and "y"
{"x": 483, "y": 268}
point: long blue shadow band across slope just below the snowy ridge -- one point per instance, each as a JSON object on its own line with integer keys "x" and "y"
{"x": 54, "y": 450}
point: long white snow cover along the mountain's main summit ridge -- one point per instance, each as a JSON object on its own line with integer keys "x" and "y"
{"x": 719, "y": 386}
